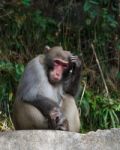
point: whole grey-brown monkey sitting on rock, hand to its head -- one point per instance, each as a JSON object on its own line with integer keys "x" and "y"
{"x": 45, "y": 97}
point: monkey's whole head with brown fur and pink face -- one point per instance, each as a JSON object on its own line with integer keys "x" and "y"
{"x": 56, "y": 62}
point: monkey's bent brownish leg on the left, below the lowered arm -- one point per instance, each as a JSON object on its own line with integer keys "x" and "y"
{"x": 26, "y": 116}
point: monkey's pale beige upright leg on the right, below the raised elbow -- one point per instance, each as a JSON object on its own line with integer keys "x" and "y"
{"x": 70, "y": 111}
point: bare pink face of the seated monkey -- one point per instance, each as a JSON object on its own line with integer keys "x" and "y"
{"x": 57, "y": 73}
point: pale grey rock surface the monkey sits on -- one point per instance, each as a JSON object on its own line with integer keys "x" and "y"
{"x": 60, "y": 140}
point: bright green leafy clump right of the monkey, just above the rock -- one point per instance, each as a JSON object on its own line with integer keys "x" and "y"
{"x": 99, "y": 111}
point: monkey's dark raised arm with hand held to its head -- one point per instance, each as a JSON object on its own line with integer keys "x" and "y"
{"x": 71, "y": 85}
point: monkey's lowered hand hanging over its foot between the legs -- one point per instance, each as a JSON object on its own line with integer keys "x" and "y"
{"x": 57, "y": 120}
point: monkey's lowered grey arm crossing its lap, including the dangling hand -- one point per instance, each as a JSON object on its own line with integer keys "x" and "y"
{"x": 51, "y": 111}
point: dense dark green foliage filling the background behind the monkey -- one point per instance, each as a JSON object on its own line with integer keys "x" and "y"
{"x": 88, "y": 28}
